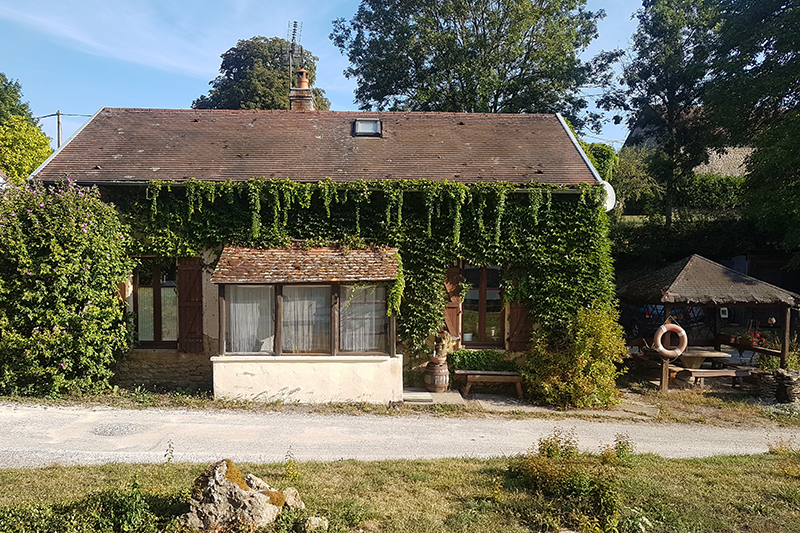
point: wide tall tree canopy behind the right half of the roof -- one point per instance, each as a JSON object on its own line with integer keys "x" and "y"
{"x": 491, "y": 56}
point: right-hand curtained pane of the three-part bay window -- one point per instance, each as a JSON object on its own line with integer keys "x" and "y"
{"x": 363, "y": 323}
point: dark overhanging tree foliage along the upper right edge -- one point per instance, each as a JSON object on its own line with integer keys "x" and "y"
{"x": 755, "y": 97}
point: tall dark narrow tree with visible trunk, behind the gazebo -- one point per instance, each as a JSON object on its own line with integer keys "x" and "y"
{"x": 664, "y": 83}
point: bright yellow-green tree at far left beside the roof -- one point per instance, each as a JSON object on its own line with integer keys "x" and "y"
{"x": 23, "y": 147}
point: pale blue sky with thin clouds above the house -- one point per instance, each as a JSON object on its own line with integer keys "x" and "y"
{"x": 81, "y": 55}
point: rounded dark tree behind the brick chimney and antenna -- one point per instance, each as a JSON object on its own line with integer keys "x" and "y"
{"x": 255, "y": 75}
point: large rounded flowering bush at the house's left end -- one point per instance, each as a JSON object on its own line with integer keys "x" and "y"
{"x": 62, "y": 324}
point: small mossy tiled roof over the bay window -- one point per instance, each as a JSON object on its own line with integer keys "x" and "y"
{"x": 294, "y": 264}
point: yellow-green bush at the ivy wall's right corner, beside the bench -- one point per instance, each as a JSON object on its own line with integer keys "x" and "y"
{"x": 581, "y": 369}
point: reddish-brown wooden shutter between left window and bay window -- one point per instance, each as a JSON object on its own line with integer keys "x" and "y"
{"x": 190, "y": 305}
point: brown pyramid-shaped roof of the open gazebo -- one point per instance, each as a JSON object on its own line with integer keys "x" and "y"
{"x": 698, "y": 281}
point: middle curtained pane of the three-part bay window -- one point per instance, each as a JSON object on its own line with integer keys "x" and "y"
{"x": 306, "y": 319}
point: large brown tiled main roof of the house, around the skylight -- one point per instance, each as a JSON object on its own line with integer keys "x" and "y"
{"x": 137, "y": 145}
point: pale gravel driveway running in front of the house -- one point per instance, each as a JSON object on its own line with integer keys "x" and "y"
{"x": 34, "y": 435}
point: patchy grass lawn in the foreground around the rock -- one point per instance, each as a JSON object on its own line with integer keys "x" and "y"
{"x": 725, "y": 494}
